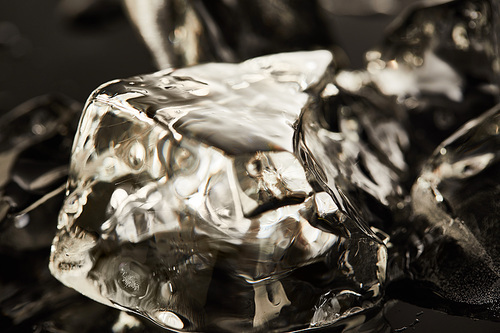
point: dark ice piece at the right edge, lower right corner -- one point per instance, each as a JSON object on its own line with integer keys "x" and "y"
{"x": 455, "y": 206}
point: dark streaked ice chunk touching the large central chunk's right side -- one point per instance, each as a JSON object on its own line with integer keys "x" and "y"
{"x": 355, "y": 149}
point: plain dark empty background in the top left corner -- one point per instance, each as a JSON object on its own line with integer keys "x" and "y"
{"x": 45, "y": 49}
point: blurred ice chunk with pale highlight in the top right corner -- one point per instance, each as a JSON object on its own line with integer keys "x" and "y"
{"x": 442, "y": 64}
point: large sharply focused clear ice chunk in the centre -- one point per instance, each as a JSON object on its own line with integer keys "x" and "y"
{"x": 187, "y": 203}
